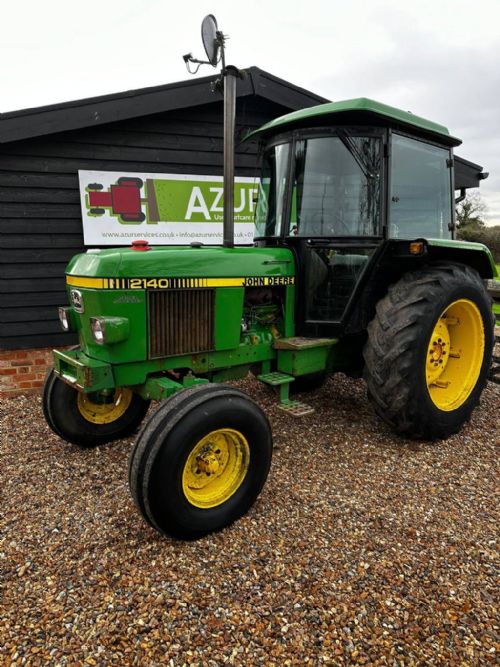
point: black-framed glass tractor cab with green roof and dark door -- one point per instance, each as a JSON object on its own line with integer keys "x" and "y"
{"x": 344, "y": 185}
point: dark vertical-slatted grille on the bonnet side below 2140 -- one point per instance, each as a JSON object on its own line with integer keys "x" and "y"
{"x": 180, "y": 322}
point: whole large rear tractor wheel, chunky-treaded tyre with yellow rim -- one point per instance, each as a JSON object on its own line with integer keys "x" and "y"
{"x": 429, "y": 350}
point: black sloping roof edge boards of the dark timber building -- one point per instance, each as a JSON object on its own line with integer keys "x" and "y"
{"x": 93, "y": 111}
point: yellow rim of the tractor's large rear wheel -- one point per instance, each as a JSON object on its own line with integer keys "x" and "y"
{"x": 455, "y": 355}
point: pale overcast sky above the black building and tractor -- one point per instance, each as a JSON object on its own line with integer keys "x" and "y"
{"x": 439, "y": 59}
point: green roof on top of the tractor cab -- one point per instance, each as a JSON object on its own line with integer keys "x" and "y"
{"x": 356, "y": 110}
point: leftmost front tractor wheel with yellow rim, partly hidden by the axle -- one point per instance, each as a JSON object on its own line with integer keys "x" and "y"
{"x": 89, "y": 420}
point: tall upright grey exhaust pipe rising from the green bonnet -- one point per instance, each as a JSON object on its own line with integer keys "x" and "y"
{"x": 230, "y": 74}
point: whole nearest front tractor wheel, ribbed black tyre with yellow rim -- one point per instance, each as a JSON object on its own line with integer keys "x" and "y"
{"x": 200, "y": 461}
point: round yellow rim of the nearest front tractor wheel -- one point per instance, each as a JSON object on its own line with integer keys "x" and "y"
{"x": 215, "y": 468}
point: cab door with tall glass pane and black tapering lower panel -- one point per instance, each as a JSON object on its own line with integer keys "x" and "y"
{"x": 335, "y": 221}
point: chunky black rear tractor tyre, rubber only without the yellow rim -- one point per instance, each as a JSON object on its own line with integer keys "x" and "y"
{"x": 397, "y": 348}
